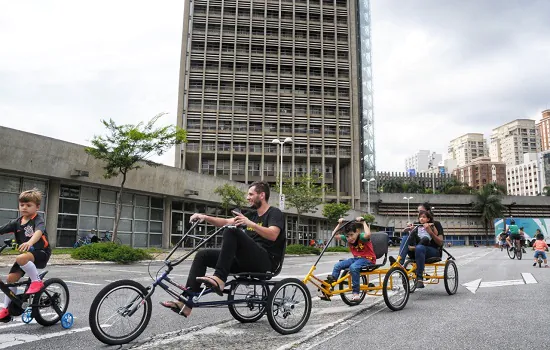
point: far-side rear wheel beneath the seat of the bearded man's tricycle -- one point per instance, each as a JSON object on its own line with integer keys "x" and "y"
{"x": 254, "y": 307}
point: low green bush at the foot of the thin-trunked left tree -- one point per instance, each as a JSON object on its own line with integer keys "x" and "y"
{"x": 110, "y": 252}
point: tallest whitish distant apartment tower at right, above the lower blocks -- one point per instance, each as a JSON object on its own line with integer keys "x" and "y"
{"x": 511, "y": 141}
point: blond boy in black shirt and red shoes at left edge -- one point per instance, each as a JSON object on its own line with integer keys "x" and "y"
{"x": 30, "y": 232}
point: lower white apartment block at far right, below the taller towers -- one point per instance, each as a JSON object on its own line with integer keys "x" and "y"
{"x": 525, "y": 179}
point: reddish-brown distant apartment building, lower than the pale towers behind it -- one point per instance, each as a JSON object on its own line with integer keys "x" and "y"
{"x": 482, "y": 171}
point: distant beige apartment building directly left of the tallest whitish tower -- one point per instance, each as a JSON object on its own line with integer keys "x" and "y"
{"x": 467, "y": 147}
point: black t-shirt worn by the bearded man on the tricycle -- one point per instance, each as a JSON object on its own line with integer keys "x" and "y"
{"x": 272, "y": 217}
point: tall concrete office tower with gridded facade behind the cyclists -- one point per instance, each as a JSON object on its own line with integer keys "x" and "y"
{"x": 257, "y": 70}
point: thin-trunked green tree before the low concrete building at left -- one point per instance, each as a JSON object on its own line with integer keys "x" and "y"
{"x": 127, "y": 147}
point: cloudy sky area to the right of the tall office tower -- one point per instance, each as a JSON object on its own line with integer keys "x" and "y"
{"x": 445, "y": 68}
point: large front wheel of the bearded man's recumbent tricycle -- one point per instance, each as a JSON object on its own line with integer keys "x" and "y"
{"x": 100, "y": 330}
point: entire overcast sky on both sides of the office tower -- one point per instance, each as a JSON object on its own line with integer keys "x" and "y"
{"x": 441, "y": 68}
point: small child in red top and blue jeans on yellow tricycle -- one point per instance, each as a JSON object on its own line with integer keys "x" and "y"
{"x": 358, "y": 238}
